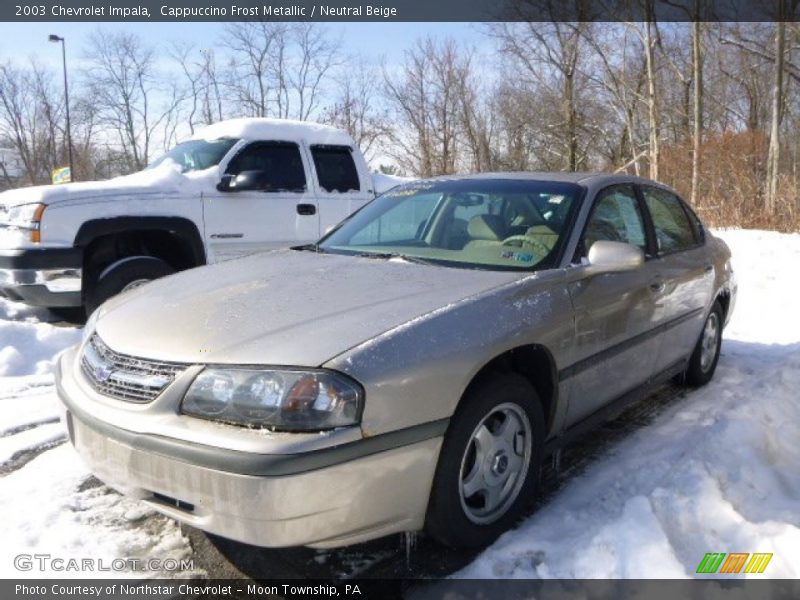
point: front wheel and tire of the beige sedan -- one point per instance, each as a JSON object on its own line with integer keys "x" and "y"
{"x": 460, "y": 519}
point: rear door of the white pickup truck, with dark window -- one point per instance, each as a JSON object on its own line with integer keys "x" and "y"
{"x": 339, "y": 184}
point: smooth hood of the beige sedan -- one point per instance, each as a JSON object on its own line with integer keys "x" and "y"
{"x": 283, "y": 308}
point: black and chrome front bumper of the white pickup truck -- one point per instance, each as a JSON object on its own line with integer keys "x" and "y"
{"x": 42, "y": 276}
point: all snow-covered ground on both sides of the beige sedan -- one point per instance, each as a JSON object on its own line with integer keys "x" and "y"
{"x": 719, "y": 471}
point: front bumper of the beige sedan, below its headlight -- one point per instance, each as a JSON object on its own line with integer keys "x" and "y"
{"x": 327, "y": 497}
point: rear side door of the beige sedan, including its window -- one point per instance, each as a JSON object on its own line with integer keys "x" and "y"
{"x": 685, "y": 271}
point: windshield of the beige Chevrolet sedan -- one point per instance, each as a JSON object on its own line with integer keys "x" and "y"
{"x": 498, "y": 224}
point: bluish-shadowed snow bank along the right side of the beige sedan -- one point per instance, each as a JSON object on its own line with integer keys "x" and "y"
{"x": 719, "y": 471}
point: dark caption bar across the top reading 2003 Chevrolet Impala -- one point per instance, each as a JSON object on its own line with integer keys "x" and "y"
{"x": 398, "y": 10}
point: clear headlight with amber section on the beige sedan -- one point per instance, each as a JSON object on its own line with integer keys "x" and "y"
{"x": 281, "y": 399}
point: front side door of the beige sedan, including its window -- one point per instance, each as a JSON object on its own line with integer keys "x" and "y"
{"x": 615, "y": 313}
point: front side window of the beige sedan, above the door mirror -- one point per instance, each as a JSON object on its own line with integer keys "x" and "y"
{"x": 615, "y": 218}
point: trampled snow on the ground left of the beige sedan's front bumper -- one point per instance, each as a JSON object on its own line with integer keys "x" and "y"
{"x": 50, "y": 503}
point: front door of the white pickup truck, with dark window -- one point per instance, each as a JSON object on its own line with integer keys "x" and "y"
{"x": 266, "y": 204}
